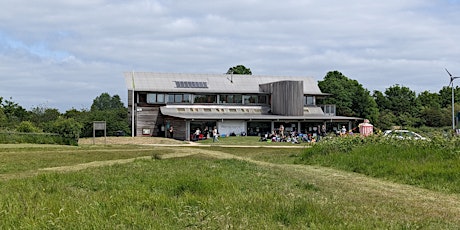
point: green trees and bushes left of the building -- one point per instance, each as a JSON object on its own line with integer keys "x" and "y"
{"x": 73, "y": 123}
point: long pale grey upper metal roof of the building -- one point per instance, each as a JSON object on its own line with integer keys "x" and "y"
{"x": 216, "y": 83}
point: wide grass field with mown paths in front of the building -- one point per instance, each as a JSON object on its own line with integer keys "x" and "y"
{"x": 191, "y": 187}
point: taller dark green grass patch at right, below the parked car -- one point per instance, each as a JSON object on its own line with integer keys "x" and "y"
{"x": 433, "y": 164}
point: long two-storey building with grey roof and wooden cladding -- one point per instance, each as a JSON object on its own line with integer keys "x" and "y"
{"x": 235, "y": 104}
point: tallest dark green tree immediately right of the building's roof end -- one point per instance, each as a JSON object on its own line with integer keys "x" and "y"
{"x": 350, "y": 98}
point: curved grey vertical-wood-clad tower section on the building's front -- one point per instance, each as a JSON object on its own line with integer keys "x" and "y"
{"x": 286, "y": 97}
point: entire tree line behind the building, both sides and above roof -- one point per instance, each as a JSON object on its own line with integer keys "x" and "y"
{"x": 396, "y": 106}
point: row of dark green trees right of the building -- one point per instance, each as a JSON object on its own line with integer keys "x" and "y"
{"x": 396, "y": 106}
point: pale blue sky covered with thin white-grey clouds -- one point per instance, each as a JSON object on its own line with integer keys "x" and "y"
{"x": 63, "y": 54}
